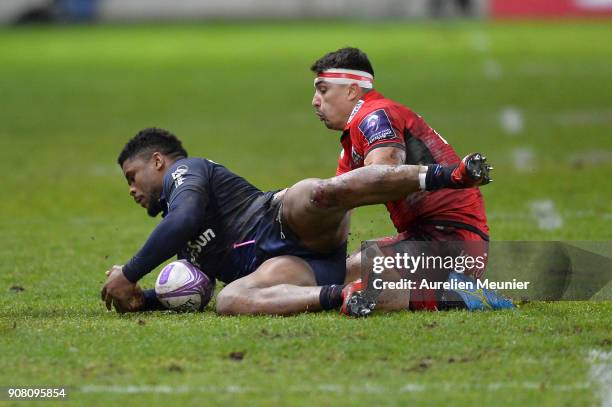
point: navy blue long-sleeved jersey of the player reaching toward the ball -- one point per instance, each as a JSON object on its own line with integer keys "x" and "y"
{"x": 207, "y": 211}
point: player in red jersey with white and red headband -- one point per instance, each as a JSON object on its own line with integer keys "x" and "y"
{"x": 377, "y": 130}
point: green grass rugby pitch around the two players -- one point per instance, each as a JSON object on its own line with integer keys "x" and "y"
{"x": 240, "y": 95}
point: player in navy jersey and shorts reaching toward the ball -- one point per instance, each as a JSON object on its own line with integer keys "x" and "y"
{"x": 279, "y": 252}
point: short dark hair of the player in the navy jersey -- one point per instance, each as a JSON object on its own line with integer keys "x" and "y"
{"x": 151, "y": 140}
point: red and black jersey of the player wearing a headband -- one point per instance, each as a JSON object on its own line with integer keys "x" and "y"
{"x": 380, "y": 122}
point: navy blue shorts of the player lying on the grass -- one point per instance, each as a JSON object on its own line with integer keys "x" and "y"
{"x": 273, "y": 238}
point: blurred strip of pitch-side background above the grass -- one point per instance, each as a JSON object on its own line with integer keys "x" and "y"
{"x": 147, "y": 10}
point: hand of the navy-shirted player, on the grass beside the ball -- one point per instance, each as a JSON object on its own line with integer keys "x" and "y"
{"x": 121, "y": 293}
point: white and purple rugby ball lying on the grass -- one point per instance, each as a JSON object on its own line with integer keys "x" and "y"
{"x": 182, "y": 287}
